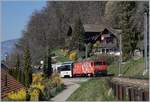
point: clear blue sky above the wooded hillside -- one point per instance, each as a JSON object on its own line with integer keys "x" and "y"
{"x": 15, "y": 16}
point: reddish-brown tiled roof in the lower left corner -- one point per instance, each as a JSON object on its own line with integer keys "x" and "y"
{"x": 8, "y": 83}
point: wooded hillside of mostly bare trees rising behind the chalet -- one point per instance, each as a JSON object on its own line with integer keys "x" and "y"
{"x": 50, "y": 25}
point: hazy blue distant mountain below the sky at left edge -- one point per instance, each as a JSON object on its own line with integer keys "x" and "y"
{"x": 7, "y": 47}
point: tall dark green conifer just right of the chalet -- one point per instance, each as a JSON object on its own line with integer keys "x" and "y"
{"x": 128, "y": 34}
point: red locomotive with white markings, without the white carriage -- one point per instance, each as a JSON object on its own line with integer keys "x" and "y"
{"x": 89, "y": 68}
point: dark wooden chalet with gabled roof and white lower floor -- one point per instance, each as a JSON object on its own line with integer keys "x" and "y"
{"x": 105, "y": 37}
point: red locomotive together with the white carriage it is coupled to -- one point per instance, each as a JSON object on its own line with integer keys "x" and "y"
{"x": 83, "y": 68}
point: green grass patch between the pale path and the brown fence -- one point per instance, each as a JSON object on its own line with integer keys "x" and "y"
{"x": 95, "y": 89}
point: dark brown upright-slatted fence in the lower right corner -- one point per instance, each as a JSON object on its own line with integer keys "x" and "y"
{"x": 128, "y": 92}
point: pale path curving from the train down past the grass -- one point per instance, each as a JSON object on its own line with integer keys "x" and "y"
{"x": 71, "y": 85}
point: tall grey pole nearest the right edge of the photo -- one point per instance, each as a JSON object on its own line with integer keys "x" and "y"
{"x": 145, "y": 44}
